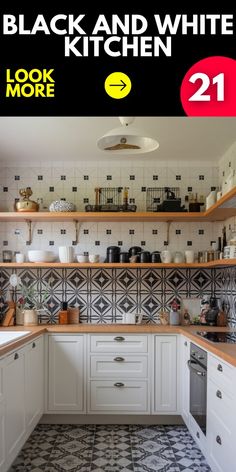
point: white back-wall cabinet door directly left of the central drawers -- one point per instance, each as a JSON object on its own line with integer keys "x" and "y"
{"x": 66, "y": 373}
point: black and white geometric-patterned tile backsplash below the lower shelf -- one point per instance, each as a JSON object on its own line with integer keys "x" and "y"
{"x": 104, "y": 294}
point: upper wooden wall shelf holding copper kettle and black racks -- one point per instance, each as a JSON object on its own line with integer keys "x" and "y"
{"x": 220, "y": 211}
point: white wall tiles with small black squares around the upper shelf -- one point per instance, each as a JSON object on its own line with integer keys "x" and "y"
{"x": 97, "y": 172}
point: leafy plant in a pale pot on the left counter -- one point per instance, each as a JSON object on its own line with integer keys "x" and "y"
{"x": 29, "y": 305}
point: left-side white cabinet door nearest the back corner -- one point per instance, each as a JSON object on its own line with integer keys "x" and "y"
{"x": 34, "y": 388}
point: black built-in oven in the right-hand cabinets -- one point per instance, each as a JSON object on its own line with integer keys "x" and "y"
{"x": 198, "y": 385}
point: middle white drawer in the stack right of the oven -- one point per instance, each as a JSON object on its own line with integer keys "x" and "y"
{"x": 222, "y": 405}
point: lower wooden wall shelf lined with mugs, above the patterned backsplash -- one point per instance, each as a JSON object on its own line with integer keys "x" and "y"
{"x": 117, "y": 265}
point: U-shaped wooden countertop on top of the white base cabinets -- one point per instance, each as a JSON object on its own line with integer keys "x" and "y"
{"x": 226, "y": 352}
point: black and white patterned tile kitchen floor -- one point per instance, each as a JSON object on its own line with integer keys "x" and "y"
{"x": 110, "y": 448}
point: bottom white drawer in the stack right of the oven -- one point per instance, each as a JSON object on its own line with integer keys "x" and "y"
{"x": 220, "y": 445}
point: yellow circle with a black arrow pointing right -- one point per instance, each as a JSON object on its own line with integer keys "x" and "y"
{"x": 117, "y": 85}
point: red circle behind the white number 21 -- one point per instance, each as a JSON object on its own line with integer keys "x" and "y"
{"x": 211, "y": 67}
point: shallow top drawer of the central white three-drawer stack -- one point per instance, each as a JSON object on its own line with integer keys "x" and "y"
{"x": 118, "y": 343}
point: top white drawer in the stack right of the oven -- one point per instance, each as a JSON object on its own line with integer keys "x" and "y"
{"x": 222, "y": 374}
